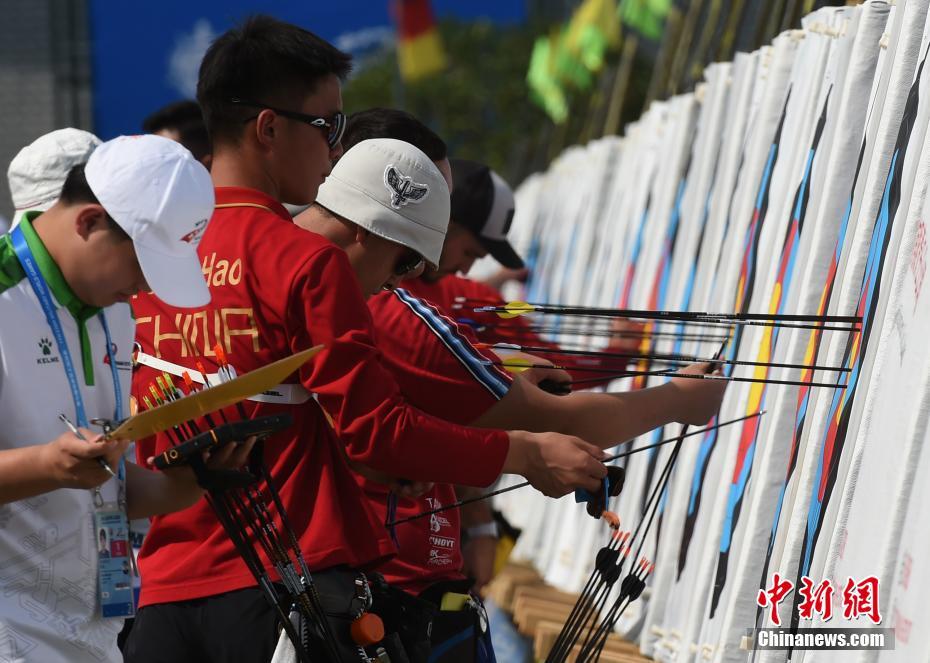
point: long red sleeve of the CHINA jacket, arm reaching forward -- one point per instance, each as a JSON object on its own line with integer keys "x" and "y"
{"x": 361, "y": 396}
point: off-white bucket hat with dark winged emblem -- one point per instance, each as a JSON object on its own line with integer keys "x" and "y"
{"x": 393, "y": 190}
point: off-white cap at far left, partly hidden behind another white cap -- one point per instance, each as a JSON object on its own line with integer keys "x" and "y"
{"x": 38, "y": 171}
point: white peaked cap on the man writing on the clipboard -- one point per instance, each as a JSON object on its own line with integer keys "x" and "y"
{"x": 163, "y": 198}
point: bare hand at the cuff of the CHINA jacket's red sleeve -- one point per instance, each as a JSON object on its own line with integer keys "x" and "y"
{"x": 553, "y": 463}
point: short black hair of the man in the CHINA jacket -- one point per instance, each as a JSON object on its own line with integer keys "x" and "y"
{"x": 263, "y": 60}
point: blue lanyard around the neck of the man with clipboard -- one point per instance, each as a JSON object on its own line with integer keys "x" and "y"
{"x": 40, "y": 287}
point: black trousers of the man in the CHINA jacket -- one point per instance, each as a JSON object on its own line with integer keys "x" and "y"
{"x": 235, "y": 627}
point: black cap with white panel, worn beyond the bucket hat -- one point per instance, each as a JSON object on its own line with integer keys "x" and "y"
{"x": 483, "y": 202}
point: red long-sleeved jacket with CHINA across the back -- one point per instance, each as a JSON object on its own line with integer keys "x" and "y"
{"x": 277, "y": 289}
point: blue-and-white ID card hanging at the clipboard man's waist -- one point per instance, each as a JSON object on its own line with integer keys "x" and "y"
{"x": 114, "y": 566}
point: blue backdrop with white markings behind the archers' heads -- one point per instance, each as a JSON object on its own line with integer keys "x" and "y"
{"x": 145, "y": 55}
